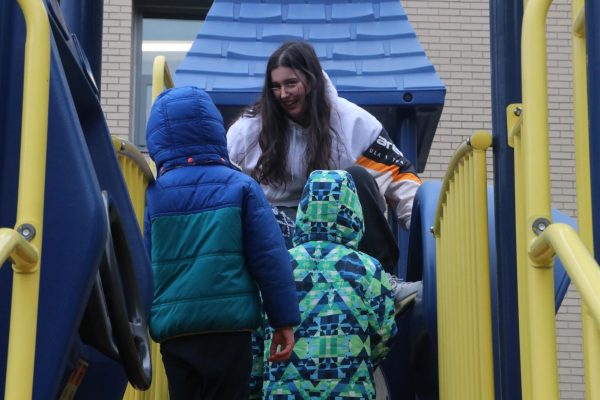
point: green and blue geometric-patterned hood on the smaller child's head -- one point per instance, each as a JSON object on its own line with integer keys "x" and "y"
{"x": 329, "y": 210}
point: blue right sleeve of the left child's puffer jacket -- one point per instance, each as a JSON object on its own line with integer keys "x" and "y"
{"x": 268, "y": 260}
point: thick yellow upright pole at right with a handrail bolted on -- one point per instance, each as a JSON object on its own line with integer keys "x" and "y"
{"x": 537, "y": 328}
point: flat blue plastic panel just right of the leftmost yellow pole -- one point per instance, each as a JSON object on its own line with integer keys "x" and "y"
{"x": 74, "y": 235}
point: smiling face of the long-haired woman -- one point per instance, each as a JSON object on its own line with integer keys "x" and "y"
{"x": 288, "y": 86}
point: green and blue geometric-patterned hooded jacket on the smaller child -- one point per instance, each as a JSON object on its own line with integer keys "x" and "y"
{"x": 345, "y": 300}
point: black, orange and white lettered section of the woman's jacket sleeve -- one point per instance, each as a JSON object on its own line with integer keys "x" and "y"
{"x": 394, "y": 173}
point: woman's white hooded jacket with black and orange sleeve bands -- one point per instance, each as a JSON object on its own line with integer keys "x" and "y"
{"x": 360, "y": 140}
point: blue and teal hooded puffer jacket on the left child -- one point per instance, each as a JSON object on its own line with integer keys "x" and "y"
{"x": 212, "y": 237}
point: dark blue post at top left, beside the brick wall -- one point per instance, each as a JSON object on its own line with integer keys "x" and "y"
{"x": 84, "y": 18}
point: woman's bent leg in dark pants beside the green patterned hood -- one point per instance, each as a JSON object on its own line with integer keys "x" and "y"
{"x": 378, "y": 241}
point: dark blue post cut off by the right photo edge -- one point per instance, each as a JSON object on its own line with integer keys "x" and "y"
{"x": 592, "y": 33}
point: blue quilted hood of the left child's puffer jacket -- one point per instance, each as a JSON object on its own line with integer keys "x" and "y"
{"x": 185, "y": 128}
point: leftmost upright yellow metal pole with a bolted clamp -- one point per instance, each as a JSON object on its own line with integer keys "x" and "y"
{"x": 24, "y": 244}
